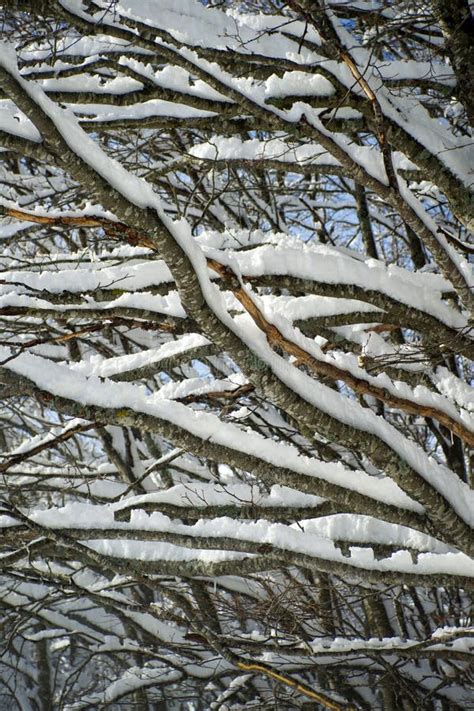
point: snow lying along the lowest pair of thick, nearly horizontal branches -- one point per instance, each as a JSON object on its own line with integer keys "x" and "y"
{"x": 309, "y": 542}
